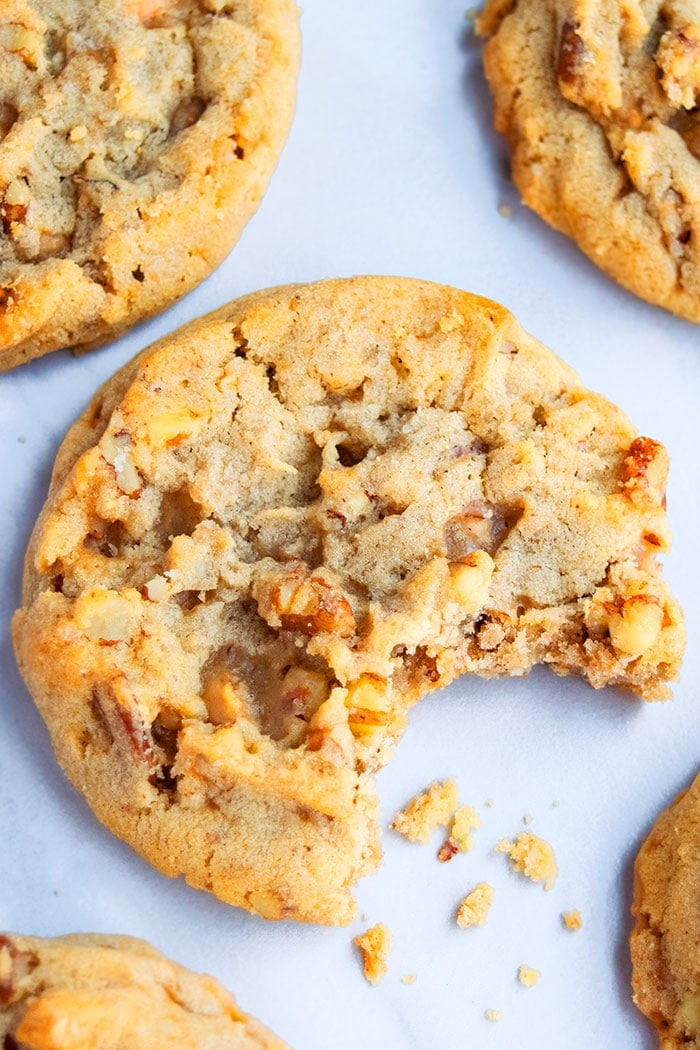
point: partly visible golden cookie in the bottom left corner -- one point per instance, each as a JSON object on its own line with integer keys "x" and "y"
{"x": 97, "y": 993}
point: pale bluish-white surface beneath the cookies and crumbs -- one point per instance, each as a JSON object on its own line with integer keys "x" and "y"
{"x": 393, "y": 167}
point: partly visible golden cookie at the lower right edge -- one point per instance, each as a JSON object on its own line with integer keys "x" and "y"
{"x": 666, "y": 941}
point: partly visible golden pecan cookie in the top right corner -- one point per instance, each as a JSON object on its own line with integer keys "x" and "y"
{"x": 600, "y": 104}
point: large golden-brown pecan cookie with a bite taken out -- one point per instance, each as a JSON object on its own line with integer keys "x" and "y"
{"x": 280, "y": 528}
